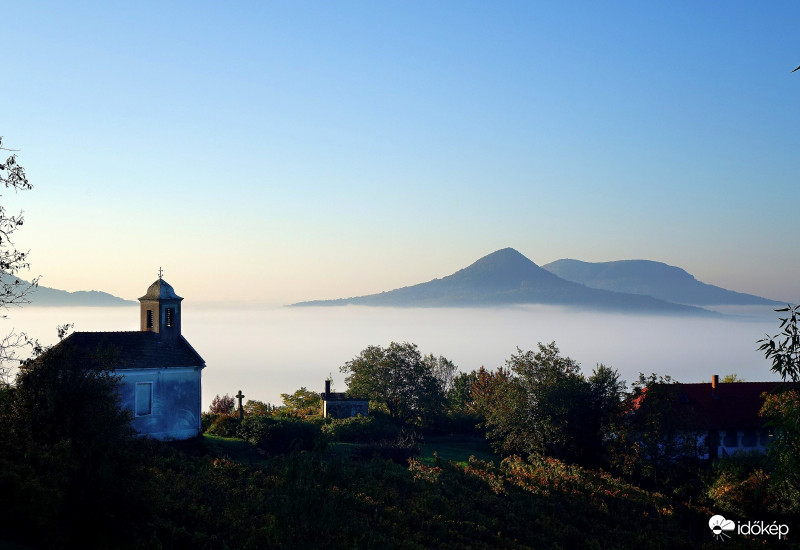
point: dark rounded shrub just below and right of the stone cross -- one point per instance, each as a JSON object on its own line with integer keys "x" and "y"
{"x": 280, "y": 435}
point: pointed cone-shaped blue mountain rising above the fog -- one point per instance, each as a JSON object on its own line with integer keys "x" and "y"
{"x": 507, "y": 277}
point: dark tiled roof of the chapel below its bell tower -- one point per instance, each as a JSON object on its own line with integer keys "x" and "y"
{"x": 137, "y": 349}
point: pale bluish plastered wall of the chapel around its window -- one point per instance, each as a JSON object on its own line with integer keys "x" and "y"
{"x": 175, "y": 407}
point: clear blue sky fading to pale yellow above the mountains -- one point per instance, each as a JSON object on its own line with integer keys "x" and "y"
{"x": 274, "y": 152}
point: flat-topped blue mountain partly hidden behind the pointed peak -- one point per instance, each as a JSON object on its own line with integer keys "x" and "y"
{"x": 649, "y": 278}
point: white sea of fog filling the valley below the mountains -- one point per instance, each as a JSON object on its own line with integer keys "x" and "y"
{"x": 269, "y": 351}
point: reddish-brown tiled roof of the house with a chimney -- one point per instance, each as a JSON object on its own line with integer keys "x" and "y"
{"x": 731, "y": 405}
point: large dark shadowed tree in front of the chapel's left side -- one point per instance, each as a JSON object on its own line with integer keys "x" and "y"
{"x": 70, "y": 458}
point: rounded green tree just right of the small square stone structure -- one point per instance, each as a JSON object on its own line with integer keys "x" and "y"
{"x": 398, "y": 380}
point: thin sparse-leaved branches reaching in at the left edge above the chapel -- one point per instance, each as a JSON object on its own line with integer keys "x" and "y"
{"x": 13, "y": 291}
